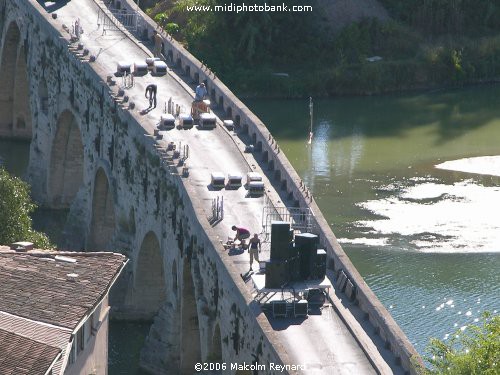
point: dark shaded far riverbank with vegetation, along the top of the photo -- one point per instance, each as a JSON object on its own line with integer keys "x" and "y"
{"x": 372, "y": 53}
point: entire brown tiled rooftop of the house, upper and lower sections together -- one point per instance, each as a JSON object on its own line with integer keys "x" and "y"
{"x": 43, "y": 298}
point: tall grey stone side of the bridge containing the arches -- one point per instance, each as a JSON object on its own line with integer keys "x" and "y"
{"x": 91, "y": 159}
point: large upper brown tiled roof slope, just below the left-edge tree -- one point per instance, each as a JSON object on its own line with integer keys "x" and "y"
{"x": 39, "y": 287}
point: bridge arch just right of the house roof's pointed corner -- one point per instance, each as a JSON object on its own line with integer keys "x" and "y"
{"x": 149, "y": 276}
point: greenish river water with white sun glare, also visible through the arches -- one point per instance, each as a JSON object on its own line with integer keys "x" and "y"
{"x": 426, "y": 240}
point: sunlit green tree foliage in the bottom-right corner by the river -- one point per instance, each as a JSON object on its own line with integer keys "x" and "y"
{"x": 473, "y": 351}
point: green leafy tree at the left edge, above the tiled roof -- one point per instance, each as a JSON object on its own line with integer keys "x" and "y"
{"x": 15, "y": 209}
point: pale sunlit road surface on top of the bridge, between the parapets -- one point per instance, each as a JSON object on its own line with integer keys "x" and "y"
{"x": 322, "y": 342}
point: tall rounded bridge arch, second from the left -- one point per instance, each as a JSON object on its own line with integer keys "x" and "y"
{"x": 66, "y": 162}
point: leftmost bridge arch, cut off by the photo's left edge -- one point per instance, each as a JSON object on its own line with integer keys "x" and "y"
{"x": 15, "y": 113}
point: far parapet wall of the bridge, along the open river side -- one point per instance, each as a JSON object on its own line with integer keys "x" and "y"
{"x": 292, "y": 189}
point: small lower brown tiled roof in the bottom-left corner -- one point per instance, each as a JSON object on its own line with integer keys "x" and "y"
{"x": 22, "y": 356}
